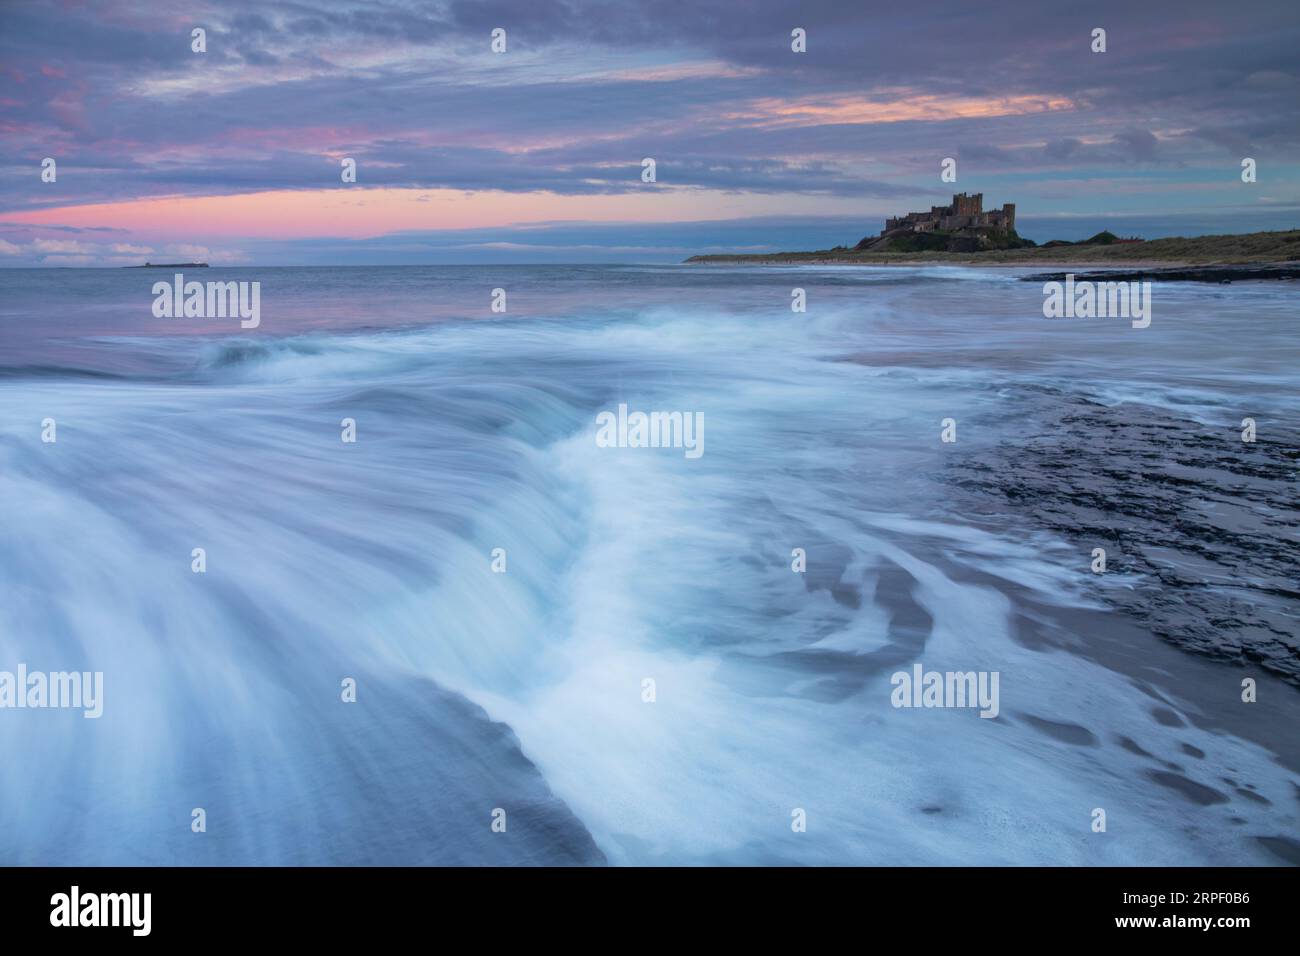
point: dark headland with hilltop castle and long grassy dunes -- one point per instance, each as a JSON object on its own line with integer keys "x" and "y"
{"x": 964, "y": 233}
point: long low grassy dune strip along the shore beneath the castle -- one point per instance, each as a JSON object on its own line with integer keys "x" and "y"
{"x": 1202, "y": 250}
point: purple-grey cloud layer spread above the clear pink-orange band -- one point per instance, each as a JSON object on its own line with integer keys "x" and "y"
{"x": 588, "y": 88}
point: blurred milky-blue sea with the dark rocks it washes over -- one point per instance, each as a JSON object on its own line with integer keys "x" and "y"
{"x": 476, "y": 635}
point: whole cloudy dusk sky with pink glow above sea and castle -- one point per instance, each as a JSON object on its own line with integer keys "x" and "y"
{"x": 534, "y": 155}
